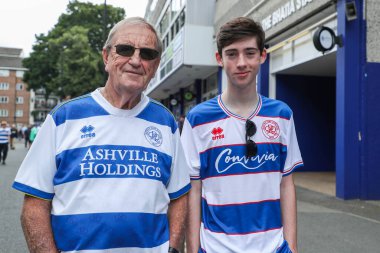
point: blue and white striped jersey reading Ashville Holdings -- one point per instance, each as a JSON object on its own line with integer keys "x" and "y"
{"x": 110, "y": 174}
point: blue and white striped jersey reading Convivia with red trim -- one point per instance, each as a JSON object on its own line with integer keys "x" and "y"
{"x": 240, "y": 196}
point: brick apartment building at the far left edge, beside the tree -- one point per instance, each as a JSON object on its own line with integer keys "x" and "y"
{"x": 14, "y": 96}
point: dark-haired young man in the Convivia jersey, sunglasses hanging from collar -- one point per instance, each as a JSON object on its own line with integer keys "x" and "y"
{"x": 242, "y": 149}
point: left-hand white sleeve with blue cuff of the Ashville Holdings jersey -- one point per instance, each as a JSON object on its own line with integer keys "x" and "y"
{"x": 36, "y": 173}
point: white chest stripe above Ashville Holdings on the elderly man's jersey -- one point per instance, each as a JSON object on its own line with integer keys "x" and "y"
{"x": 131, "y": 134}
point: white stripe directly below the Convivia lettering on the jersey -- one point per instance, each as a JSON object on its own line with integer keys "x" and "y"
{"x": 241, "y": 189}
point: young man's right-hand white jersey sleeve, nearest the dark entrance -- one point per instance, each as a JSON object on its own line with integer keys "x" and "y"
{"x": 293, "y": 156}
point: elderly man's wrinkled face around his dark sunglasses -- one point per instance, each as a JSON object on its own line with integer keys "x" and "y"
{"x": 131, "y": 74}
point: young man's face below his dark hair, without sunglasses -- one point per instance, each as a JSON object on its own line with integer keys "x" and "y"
{"x": 241, "y": 61}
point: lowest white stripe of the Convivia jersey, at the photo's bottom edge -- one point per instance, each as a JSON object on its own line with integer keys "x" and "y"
{"x": 267, "y": 241}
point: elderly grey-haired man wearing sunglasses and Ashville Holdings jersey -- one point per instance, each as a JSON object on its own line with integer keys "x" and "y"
{"x": 106, "y": 172}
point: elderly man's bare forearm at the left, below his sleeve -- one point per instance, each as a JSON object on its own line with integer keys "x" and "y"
{"x": 35, "y": 222}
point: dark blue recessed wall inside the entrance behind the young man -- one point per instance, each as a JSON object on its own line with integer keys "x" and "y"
{"x": 312, "y": 100}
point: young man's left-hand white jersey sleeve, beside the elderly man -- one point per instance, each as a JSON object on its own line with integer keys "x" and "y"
{"x": 191, "y": 151}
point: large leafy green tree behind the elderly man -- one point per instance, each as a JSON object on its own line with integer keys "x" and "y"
{"x": 67, "y": 61}
